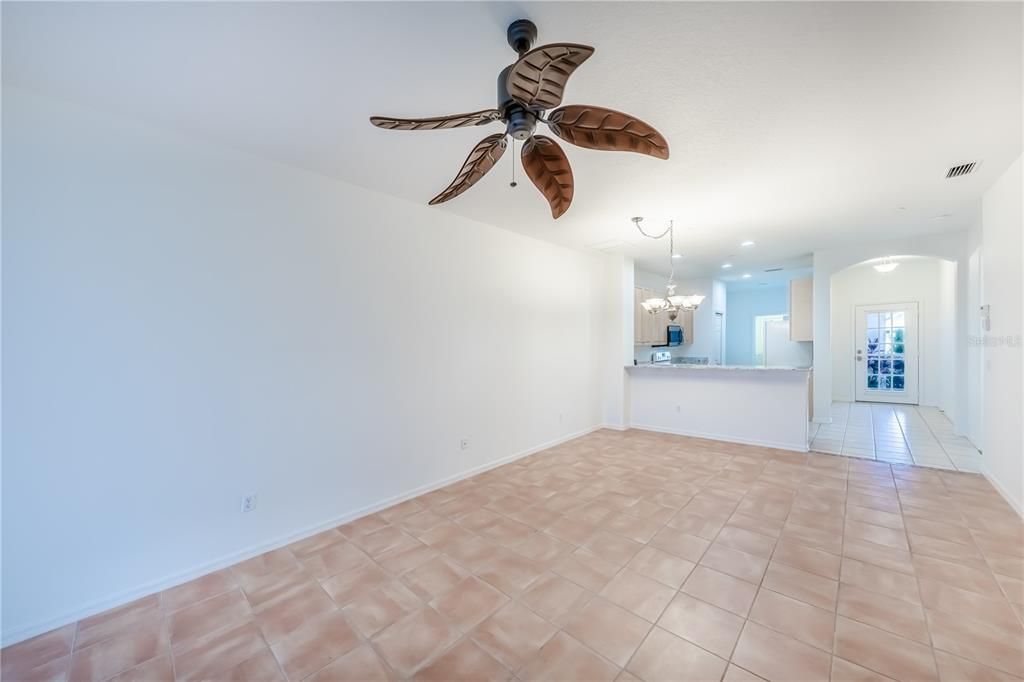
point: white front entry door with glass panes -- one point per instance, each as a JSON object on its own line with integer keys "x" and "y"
{"x": 886, "y": 353}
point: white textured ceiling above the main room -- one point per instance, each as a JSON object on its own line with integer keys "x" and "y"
{"x": 802, "y": 126}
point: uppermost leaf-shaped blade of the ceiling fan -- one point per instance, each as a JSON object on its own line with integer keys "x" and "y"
{"x": 538, "y": 79}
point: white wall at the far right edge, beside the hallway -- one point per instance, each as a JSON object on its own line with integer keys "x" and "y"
{"x": 1003, "y": 289}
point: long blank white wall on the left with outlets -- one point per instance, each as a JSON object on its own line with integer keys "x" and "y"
{"x": 185, "y": 324}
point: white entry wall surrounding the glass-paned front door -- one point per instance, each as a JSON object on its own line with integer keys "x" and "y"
{"x": 925, "y": 281}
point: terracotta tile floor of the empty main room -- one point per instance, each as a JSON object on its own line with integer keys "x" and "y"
{"x": 629, "y": 557}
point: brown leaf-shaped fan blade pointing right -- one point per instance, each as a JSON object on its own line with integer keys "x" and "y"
{"x": 598, "y": 129}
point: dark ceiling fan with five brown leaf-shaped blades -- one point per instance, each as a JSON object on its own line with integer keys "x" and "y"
{"x": 526, "y": 91}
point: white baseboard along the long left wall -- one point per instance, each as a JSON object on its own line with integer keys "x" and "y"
{"x": 99, "y": 607}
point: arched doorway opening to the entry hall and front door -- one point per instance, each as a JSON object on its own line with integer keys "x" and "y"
{"x": 895, "y": 363}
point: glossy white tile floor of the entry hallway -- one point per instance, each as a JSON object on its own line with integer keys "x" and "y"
{"x": 906, "y": 434}
